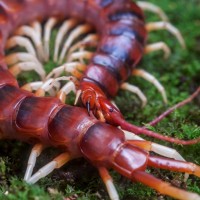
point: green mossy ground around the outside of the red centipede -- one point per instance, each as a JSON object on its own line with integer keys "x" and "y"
{"x": 180, "y": 75}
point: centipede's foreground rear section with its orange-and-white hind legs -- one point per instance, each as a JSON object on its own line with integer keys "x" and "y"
{"x": 48, "y": 122}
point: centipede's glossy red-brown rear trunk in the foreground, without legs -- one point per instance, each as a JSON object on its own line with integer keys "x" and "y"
{"x": 59, "y": 126}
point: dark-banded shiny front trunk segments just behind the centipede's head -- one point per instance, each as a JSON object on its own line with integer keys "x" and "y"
{"x": 120, "y": 48}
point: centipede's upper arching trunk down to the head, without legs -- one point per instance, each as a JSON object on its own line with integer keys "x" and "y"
{"x": 120, "y": 25}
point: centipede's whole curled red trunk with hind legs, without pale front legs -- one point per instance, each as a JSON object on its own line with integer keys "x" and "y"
{"x": 47, "y": 121}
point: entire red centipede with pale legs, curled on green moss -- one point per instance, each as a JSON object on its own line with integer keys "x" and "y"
{"x": 20, "y": 108}
